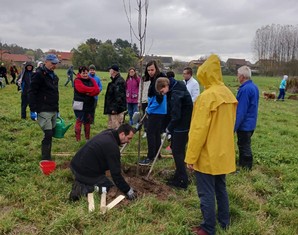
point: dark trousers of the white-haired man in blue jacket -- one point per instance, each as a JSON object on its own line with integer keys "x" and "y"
{"x": 244, "y": 146}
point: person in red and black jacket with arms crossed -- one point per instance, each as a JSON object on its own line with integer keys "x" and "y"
{"x": 85, "y": 89}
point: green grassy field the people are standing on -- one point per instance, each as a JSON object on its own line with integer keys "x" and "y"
{"x": 263, "y": 201}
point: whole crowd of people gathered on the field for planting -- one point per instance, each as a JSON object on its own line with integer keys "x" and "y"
{"x": 201, "y": 126}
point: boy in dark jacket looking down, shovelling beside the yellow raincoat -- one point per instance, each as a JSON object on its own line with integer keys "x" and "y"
{"x": 180, "y": 116}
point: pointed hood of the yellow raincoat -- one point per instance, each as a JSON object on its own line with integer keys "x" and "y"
{"x": 210, "y": 72}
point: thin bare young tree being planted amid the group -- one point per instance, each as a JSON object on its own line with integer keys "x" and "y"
{"x": 139, "y": 34}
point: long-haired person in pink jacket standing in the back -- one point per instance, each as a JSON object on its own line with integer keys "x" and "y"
{"x": 132, "y": 92}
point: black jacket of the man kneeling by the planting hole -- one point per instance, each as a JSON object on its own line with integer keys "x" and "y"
{"x": 100, "y": 154}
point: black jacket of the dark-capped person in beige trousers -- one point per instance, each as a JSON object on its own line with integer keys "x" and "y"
{"x": 115, "y": 97}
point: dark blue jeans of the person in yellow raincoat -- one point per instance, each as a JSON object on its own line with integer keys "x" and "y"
{"x": 209, "y": 187}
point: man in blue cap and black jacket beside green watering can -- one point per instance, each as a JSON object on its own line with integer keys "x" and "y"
{"x": 43, "y": 102}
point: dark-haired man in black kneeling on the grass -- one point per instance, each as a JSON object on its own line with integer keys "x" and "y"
{"x": 98, "y": 155}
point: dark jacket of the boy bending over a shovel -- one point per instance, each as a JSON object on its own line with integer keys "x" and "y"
{"x": 180, "y": 107}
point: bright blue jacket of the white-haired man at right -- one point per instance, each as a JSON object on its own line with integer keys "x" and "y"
{"x": 247, "y": 110}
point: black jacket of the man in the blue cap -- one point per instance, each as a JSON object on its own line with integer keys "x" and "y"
{"x": 43, "y": 92}
